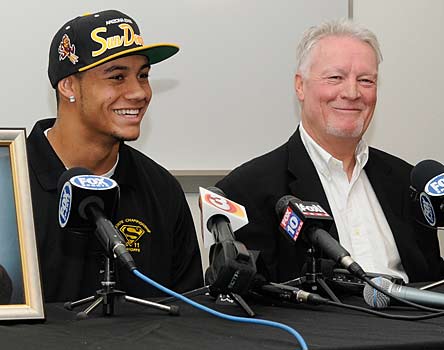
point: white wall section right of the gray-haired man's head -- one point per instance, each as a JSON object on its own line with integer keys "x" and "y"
{"x": 409, "y": 116}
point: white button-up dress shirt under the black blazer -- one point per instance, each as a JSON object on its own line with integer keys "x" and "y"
{"x": 362, "y": 226}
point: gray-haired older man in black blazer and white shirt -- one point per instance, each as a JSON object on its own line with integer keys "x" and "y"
{"x": 327, "y": 161}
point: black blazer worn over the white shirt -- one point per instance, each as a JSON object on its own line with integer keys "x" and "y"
{"x": 261, "y": 182}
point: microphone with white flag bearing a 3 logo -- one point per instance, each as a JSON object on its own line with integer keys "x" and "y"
{"x": 232, "y": 266}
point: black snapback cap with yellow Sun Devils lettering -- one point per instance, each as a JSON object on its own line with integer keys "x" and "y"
{"x": 92, "y": 39}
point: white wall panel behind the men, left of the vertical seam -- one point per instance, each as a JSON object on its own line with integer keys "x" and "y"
{"x": 231, "y": 79}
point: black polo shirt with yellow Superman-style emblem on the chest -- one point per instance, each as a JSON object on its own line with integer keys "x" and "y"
{"x": 153, "y": 215}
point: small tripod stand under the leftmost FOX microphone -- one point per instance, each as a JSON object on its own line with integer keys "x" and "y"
{"x": 108, "y": 294}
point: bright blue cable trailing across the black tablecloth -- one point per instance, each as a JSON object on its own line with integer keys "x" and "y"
{"x": 222, "y": 315}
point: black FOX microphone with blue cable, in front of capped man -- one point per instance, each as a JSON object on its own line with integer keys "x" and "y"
{"x": 85, "y": 202}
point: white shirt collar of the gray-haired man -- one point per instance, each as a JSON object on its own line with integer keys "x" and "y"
{"x": 324, "y": 161}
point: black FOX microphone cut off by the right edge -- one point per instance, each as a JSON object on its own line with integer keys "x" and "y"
{"x": 427, "y": 187}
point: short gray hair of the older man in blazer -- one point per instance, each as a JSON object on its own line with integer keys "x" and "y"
{"x": 342, "y": 27}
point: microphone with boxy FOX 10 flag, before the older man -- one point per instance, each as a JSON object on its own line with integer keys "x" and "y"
{"x": 311, "y": 221}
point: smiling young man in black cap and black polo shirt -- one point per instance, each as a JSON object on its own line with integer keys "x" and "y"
{"x": 99, "y": 68}
